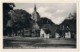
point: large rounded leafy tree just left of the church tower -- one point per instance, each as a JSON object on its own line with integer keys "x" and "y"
{"x": 21, "y": 19}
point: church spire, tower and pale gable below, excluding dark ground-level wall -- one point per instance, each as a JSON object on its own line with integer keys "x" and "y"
{"x": 35, "y": 17}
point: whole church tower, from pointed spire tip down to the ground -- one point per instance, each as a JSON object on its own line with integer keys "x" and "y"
{"x": 35, "y": 17}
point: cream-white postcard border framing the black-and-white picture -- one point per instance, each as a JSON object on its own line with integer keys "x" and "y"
{"x": 39, "y": 50}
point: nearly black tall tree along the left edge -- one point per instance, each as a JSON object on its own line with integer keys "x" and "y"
{"x": 6, "y": 8}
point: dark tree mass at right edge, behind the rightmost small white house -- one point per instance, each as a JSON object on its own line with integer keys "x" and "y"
{"x": 71, "y": 23}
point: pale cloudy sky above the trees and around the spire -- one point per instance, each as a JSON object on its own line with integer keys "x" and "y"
{"x": 57, "y": 12}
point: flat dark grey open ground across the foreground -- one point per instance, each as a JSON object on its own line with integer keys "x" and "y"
{"x": 37, "y": 42}
